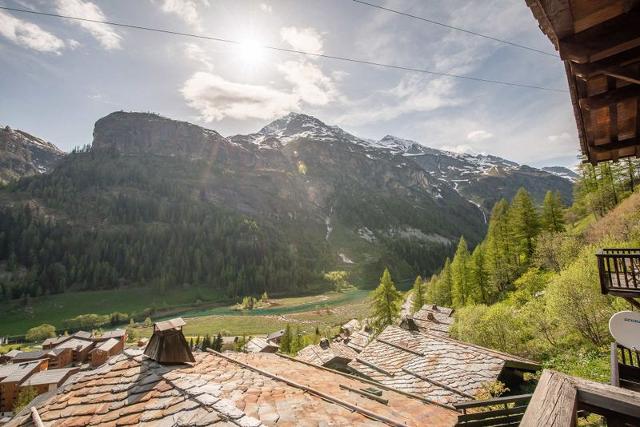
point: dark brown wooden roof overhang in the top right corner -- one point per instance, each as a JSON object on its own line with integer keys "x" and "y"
{"x": 599, "y": 42}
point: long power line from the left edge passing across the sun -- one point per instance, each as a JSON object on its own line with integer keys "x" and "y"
{"x": 287, "y": 50}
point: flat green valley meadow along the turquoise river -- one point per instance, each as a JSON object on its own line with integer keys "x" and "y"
{"x": 207, "y": 311}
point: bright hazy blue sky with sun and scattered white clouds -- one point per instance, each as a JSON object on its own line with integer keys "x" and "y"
{"x": 57, "y": 77}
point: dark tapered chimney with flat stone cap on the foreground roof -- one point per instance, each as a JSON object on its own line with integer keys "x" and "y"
{"x": 167, "y": 344}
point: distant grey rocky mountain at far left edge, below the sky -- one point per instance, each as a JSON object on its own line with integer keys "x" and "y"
{"x": 22, "y": 154}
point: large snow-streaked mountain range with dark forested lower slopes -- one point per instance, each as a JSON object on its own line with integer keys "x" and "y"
{"x": 164, "y": 201}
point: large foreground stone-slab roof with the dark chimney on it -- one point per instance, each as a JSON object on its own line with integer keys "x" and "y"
{"x": 225, "y": 389}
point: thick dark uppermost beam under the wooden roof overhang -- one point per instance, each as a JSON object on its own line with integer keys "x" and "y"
{"x": 609, "y": 38}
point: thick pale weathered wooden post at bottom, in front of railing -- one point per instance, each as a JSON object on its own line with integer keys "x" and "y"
{"x": 554, "y": 402}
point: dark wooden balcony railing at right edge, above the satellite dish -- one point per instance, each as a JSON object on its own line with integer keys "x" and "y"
{"x": 619, "y": 272}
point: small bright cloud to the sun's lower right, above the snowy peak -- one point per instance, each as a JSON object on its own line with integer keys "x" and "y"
{"x": 310, "y": 84}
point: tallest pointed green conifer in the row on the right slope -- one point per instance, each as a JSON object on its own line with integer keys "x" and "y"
{"x": 525, "y": 223}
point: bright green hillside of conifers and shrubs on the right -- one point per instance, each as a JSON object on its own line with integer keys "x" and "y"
{"x": 532, "y": 287}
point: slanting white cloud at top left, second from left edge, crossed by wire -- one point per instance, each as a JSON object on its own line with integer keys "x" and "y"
{"x": 106, "y": 36}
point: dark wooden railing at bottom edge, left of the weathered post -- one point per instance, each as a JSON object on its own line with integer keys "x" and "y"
{"x": 501, "y": 411}
